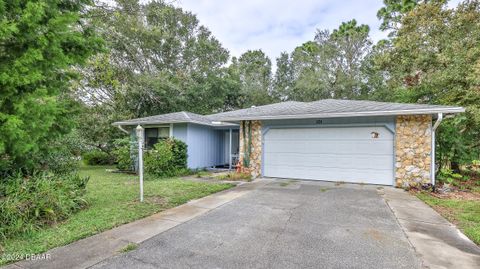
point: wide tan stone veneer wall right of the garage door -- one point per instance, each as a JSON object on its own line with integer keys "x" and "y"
{"x": 413, "y": 147}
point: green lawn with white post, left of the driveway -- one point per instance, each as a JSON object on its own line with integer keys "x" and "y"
{"x": 113, "y": 199}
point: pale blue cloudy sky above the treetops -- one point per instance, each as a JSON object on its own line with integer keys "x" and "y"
{"x": 279, "y": 25}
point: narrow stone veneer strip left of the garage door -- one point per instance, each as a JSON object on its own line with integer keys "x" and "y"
{"x": 255, "y": 168}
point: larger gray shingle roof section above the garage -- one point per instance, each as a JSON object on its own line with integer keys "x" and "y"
{"x": 331, "y": 108}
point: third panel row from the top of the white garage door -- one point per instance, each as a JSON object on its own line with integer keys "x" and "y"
{"x": 332, "y": 160}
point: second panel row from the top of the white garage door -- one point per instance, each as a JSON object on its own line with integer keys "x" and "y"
{"x": 339, "y": 147}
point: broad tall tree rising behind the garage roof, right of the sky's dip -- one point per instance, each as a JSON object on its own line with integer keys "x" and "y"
{"x": 331, "y": 66}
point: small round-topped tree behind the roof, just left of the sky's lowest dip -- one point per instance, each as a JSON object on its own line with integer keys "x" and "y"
{"x": 255, "y": 75}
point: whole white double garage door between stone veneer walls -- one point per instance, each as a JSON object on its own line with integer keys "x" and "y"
{"x": 334, "y": 154}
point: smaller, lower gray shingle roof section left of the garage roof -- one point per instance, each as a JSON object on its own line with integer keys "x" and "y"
{"x": 176, "y": 117}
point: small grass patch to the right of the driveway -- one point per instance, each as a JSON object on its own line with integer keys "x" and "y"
{"x": 463, "y": 213}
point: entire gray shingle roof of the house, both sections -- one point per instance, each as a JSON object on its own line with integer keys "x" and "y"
{"x": 326, "y": 108}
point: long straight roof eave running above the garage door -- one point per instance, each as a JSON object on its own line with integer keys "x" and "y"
{"x": 452, "y": 110}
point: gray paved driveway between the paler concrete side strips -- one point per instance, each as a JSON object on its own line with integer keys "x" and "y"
{"x": 284, "y": 224}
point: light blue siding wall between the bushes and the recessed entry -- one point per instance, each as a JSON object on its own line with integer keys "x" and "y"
{"x": 205, "y": 146}
